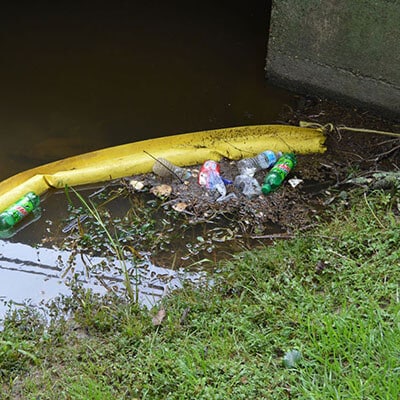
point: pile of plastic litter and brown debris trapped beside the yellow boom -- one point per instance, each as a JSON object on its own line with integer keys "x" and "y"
{"x": 231, "y": 190}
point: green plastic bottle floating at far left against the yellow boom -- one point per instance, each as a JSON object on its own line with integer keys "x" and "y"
{"x": 15, "y": 213}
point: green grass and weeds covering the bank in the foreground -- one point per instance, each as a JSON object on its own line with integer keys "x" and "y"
{"x": 332, "y": 294}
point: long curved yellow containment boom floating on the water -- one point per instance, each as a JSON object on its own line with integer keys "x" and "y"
{"x": 182, "y": 150}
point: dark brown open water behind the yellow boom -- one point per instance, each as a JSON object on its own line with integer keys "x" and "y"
{"x": 78, "y": 76}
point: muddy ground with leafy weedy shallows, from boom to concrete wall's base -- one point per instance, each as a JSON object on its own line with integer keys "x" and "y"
{"x": 187, "y": 224}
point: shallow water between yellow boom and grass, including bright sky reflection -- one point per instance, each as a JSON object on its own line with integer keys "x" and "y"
{"x": 34, "y": 275}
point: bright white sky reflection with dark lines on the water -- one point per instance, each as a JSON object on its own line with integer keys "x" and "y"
{"x": 35, "y": 276}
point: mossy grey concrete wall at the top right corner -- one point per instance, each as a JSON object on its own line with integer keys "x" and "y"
{"x": 339, "y": 48}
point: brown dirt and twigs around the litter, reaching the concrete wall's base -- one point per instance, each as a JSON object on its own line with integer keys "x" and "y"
{"x": 323, "y": 176}
